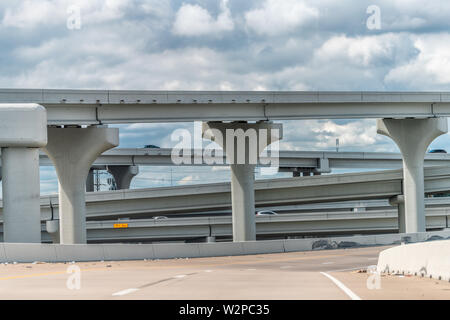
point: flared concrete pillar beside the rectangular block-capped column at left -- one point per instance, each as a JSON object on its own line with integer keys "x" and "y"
{"x": 72, "y": 151}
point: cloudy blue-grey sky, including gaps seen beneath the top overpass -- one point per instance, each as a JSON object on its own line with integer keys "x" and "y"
{"x": 229, "y": 45}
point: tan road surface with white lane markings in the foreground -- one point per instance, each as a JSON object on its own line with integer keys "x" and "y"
{"x": 330, "y": 274}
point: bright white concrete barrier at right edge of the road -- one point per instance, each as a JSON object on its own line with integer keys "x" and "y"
{"x": 428, "y": 259}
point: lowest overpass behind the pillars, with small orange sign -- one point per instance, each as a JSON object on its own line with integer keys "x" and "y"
{"x": 200, "y": 229}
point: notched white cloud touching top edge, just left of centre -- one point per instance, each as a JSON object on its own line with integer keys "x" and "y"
{"x": 194, "y": 20}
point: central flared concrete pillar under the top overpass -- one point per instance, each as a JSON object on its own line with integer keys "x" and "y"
{"x": 243, "y": 143}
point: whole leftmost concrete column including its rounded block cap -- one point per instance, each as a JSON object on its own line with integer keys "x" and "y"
{"x": 23, "y": 130}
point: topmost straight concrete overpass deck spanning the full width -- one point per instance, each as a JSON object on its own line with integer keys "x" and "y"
{"x": 88, "y": 107}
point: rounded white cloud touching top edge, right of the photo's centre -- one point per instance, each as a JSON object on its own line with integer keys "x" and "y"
{"x": 276, "y": 17}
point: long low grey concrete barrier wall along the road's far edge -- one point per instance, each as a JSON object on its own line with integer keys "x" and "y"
{"x": 17, "y": 252}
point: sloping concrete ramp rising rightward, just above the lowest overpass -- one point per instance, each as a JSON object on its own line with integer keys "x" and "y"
{"x": 145, "y": 203}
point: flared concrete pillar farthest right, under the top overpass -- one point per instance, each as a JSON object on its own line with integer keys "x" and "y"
{"x": 413, "y": 136}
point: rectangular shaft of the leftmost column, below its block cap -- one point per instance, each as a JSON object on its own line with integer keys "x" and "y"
{"x": 21, "y": 197}
